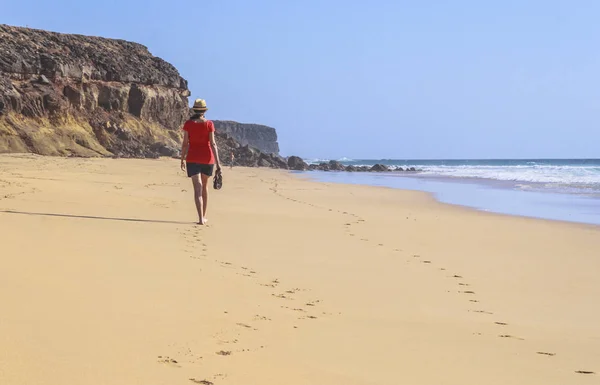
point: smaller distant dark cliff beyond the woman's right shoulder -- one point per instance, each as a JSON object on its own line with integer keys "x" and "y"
{"x": 263, "y": 138}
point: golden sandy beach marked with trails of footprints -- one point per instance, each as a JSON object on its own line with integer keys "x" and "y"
{"x": 105, "y": 280}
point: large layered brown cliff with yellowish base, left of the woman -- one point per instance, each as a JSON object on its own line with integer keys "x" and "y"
{"x": 86, "y": 96}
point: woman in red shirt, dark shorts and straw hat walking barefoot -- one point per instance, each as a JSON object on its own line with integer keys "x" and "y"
{"x": 199, "y": 154}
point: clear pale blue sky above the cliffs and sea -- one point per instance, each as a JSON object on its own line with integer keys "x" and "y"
{"x": 378, "y": 79}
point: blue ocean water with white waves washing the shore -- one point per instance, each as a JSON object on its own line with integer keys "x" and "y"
{"x": 557, "y": 189}
